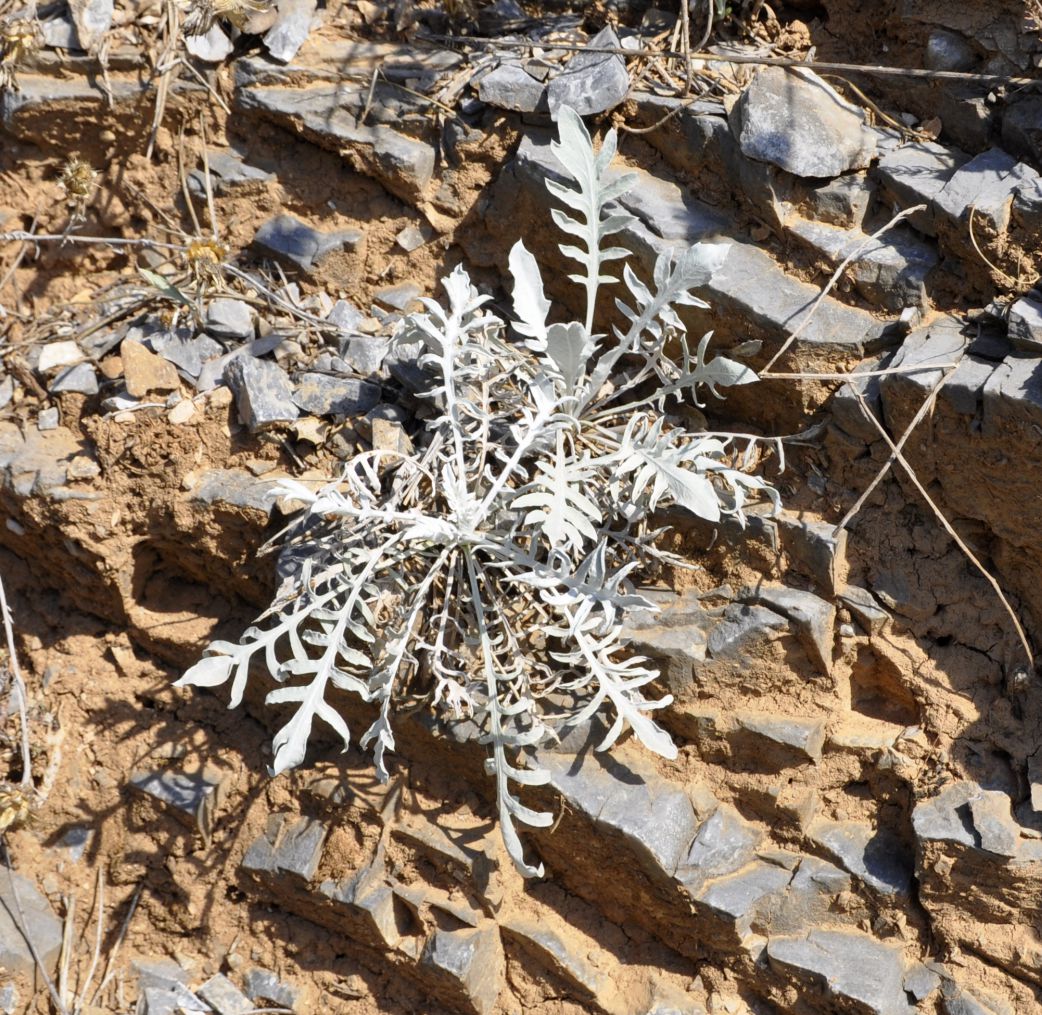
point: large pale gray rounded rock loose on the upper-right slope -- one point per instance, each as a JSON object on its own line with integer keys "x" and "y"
{"x": 797, "y": 121}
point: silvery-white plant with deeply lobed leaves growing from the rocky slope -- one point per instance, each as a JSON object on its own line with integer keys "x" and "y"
{"x": 488, "y": 575}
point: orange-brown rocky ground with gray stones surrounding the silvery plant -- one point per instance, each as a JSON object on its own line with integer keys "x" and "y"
{"x": 855, "y": 821}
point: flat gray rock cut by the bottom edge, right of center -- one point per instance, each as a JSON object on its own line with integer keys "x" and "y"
{"x": 851, "y": 969}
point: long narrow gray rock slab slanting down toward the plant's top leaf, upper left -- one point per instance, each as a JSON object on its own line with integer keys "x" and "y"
{"x": 404, "y": 165}
